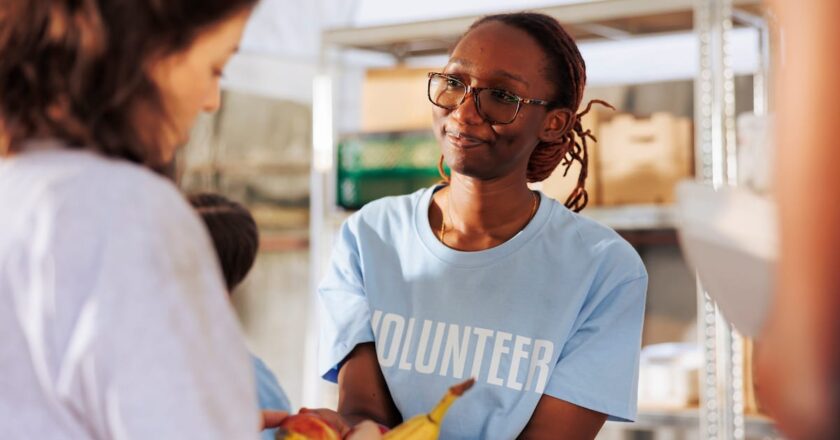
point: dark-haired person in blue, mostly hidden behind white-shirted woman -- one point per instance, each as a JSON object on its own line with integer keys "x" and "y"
{"x": 236, "y": 241}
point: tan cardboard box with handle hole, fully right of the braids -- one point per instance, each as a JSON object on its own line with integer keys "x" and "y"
{"x": 640, "y": 161}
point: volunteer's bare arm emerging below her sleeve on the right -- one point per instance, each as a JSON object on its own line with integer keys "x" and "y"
{"x": 557, "y": 419}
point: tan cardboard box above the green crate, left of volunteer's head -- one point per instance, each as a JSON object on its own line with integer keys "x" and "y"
{"x": 395, "y": 99}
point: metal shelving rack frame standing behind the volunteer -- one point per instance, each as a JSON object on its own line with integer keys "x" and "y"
{"x": 721, "y": 415}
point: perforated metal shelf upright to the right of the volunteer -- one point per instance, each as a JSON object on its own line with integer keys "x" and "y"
{"x": 722, "y": 398}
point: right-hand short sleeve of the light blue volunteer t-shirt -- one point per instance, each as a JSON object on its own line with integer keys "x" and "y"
{"x": 598, "y": 367}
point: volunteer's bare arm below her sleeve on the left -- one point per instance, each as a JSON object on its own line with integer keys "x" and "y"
{"x": 362, "y": 391}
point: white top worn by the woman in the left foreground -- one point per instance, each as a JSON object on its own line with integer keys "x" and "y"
{"x": 113, "y": 316}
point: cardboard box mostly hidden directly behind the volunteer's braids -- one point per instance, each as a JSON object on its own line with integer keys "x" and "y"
{"x": 559, "y": 187}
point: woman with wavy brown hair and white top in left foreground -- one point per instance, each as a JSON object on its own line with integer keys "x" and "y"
{"x": 112, "y": 306}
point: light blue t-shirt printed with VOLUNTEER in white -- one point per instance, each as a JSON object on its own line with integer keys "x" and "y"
{"x": 555, "y": 310}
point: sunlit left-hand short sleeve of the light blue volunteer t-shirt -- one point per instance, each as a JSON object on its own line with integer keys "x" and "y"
{"x": 345, "y": 312}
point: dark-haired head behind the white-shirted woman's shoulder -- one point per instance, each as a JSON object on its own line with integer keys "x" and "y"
{"x": 234, "y": 234}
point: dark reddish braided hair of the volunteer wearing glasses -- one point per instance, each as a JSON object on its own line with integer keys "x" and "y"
{"x": 567, "y": 70}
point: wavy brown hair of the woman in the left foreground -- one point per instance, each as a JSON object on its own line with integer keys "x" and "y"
{"x": 76, "y": 70}
